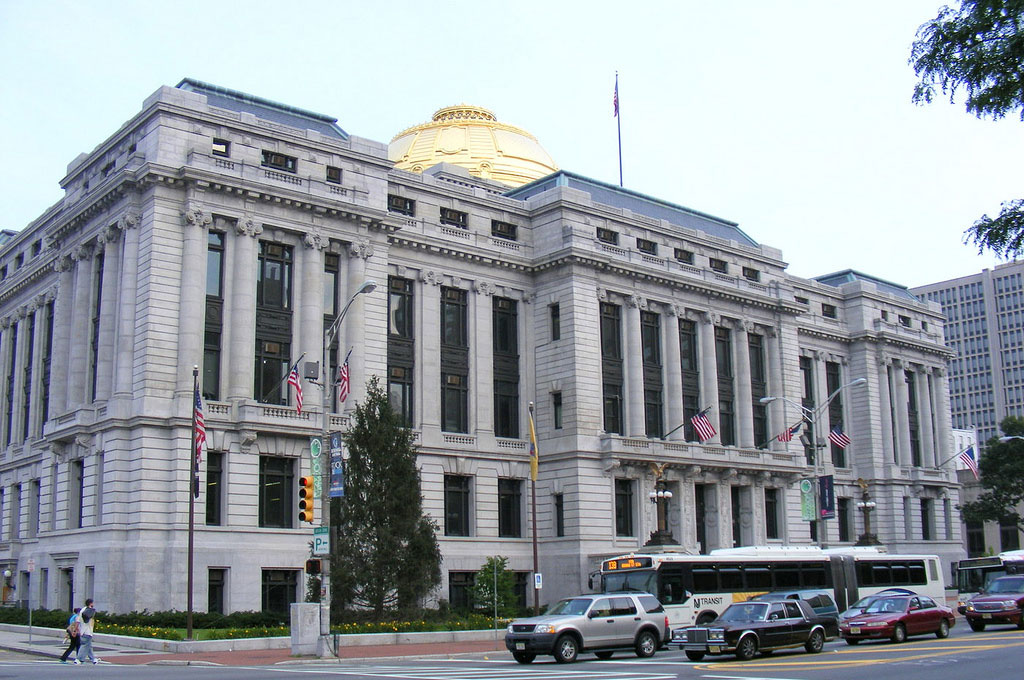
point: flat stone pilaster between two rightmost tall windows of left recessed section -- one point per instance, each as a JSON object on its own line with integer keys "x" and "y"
{"x": 482, "y": 361}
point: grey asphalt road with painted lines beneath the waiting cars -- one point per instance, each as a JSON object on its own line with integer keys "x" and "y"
{"x": 995, "y": 655}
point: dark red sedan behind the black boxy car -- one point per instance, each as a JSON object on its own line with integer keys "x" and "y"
{"x": 897, "y": 618}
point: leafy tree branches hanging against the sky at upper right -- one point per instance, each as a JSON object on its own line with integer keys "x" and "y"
{"x": 978, "y": 51}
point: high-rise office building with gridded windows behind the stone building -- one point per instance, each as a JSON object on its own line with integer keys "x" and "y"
{"x": 985, "y": 327}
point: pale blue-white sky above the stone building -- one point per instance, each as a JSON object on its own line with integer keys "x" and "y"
{"x": 792, "y": 118}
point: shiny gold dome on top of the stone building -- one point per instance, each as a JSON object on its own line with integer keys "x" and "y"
{"x": 472, "y": 138}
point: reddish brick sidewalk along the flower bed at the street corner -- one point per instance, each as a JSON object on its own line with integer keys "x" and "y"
{"x": 45, "y": 644}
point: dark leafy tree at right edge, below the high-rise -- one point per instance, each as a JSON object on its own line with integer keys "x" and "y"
{"x": 1002, "y": 475}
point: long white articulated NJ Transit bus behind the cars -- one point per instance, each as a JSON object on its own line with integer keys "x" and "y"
{"x": 695, "y": 589}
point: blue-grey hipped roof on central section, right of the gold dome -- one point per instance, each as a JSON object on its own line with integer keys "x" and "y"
{"x": 618, "y": 197}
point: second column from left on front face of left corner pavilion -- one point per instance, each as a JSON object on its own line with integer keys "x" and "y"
{"x": 243, "y": 314}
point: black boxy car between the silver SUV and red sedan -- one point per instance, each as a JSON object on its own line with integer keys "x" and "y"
{"x": 748, "y": 628}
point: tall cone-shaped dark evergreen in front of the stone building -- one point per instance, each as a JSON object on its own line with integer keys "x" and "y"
{"x": 387, "y": 554}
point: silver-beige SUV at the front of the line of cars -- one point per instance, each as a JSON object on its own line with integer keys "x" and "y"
{"x": 591, "y": 623}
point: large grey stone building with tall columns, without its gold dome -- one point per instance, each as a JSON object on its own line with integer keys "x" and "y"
{"x": 221, "y": 231}
